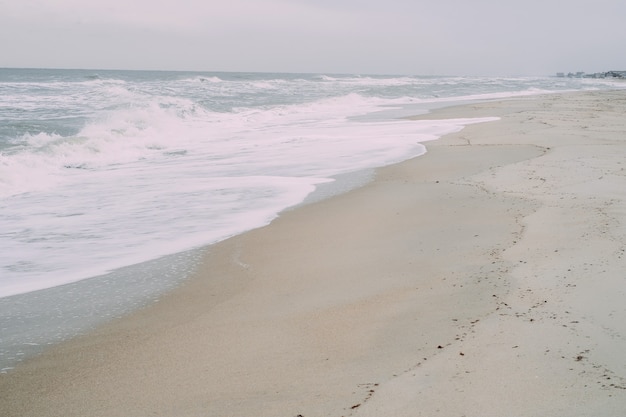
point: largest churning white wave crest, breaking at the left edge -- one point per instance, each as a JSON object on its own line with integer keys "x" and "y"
{"x": 157, "y": 129}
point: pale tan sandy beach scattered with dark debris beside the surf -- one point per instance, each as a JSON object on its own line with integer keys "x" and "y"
{"x": 485, "y": 278}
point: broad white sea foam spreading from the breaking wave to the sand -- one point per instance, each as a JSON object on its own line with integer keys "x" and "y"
{"x": 145, "y": 182}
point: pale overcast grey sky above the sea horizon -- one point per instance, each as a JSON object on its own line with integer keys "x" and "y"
{"x": 411, "y": 37}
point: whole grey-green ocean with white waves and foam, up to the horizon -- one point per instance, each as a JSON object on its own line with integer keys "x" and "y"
{"x": 112, "y": 182}
